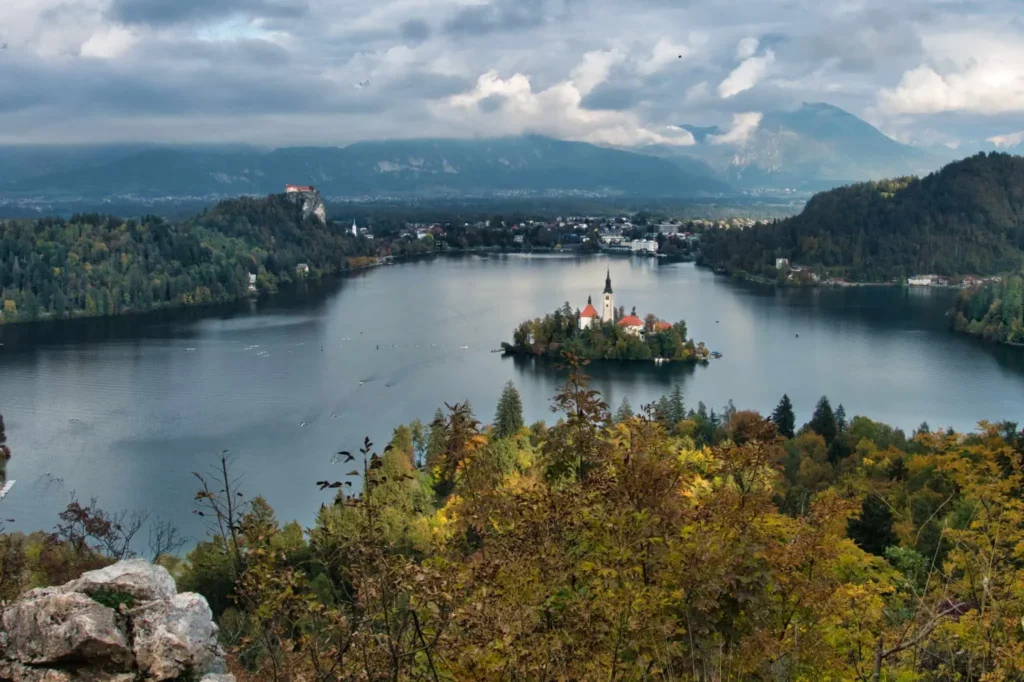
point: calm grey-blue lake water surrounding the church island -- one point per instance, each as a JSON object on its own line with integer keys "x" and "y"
{"x": 124, "y": 410}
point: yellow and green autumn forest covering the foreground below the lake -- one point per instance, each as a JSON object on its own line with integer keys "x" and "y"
{"x": 672, "y": 544}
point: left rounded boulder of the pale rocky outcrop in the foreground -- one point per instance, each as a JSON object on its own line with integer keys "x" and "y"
{"x": 53, "y": 627}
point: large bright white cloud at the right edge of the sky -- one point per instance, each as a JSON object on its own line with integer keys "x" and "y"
{"x": 972, "y": 72}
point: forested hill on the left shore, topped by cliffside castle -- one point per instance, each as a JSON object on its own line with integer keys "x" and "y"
{"x": 98, "y": 266}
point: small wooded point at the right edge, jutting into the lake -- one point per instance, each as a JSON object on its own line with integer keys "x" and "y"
{"x": 994, "y": 312}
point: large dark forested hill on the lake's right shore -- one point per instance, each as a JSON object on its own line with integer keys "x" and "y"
{"x": 967, "y": 219}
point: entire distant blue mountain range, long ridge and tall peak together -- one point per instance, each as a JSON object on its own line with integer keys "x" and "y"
{"x": 814, "y": 148}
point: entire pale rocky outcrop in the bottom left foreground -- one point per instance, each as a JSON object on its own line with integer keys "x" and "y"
{"x": 75, "y": 632}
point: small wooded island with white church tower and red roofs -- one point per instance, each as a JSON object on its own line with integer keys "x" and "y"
{"x": 609, "y": 335}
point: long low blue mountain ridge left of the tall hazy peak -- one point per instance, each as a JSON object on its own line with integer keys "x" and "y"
{"x": 419, "y": 167}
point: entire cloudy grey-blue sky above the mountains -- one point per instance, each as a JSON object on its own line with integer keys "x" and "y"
{"x": 287, "y": 72}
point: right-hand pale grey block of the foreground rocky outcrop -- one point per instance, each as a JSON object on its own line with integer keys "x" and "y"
{"x": 175, "y": 637}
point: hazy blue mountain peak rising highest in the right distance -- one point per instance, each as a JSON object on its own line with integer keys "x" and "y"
{"x": 817, "y": 147}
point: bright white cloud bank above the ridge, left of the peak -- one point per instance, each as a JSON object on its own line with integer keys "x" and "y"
{"x": 515, "y": 108}
